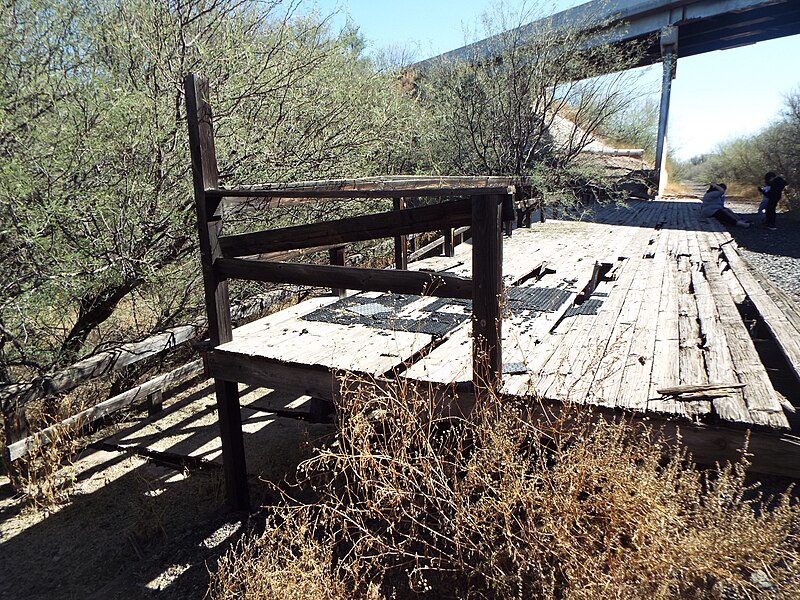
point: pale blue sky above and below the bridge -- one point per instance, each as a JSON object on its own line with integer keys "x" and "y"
{"x": 715, "y": 97}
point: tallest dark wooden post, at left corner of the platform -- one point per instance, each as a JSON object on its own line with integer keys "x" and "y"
{"x": 209, "y": 222}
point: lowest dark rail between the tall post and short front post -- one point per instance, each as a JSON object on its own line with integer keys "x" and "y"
{"x": 375, "y": 280}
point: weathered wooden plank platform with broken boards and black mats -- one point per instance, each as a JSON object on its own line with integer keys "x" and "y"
{"x": 606, "y": 310}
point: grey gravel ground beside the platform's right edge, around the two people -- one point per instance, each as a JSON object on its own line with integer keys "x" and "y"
{"x": 776, "y": 254}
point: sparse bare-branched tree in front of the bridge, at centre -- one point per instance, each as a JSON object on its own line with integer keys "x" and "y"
{"x": 503, "y": 110}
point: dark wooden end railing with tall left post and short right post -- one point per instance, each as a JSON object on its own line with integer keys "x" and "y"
{"x": 473, "y": 201}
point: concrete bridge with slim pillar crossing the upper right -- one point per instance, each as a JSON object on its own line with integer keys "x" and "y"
{"x": 668, "y": 28}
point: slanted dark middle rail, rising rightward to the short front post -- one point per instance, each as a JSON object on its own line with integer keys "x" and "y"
{"x": 354, "y": 229}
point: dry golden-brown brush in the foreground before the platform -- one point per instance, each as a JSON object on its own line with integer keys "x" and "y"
{"x": 518, "y": 501}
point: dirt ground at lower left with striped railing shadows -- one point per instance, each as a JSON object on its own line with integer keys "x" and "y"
{"x": 138, "y": 525}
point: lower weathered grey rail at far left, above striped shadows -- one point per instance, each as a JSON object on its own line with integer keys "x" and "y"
{"x": 86, "y": 417}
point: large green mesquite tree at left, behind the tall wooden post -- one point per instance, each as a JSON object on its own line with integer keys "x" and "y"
{"x": 97, "y": 225}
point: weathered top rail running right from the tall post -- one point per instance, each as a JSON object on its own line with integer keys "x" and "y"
{"x": 375, "y": 187}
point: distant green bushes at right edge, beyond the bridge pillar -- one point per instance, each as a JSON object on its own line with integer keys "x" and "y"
{"x": 745, "y": 160}
